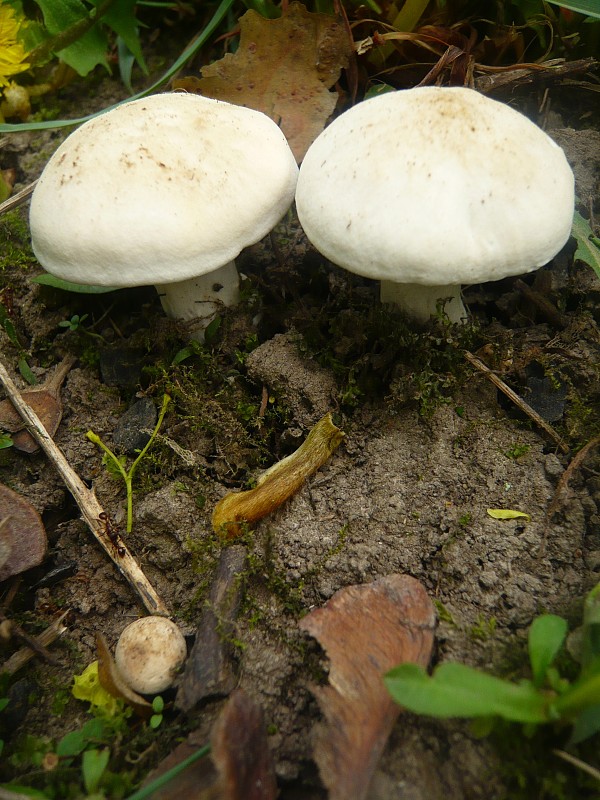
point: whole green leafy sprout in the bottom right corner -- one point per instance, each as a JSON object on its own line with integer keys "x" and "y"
{"x": 457, "y": 690}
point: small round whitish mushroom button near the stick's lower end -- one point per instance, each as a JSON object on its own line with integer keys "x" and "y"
{"x": 149, "y": 653}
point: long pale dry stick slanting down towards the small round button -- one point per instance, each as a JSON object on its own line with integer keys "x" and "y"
{"x": 91, "y": 510}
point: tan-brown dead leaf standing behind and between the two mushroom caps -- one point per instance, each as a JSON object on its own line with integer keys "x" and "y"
{"x": 284, "y": 68}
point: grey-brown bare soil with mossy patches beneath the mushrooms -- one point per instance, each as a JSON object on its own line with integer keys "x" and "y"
{"x": 430, "y": 445}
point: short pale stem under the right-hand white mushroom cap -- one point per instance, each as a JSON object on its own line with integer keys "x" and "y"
{"x": 421, "y": 302}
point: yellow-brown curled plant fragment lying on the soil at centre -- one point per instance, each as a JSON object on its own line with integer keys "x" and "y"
{"x": 279, "y": 482}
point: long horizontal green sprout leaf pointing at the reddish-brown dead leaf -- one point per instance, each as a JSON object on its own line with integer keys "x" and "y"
{"x": 455, "y": 690}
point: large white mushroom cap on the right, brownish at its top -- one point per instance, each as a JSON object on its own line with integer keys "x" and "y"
{"x": 435, "y": 186}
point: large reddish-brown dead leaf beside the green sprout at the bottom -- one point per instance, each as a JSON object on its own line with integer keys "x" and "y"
{"x": 365, "y": 631}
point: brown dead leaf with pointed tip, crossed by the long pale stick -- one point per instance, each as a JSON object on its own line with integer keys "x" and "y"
{"x": 45, "y": 401}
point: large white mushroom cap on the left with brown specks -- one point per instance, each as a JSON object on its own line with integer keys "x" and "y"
{"x": 160, "y": 190}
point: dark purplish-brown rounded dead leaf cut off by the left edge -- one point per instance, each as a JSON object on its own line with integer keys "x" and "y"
{"x": 23, "y": 540}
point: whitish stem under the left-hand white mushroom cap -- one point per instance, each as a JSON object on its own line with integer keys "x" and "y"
{"x": 201, "y": 297}
